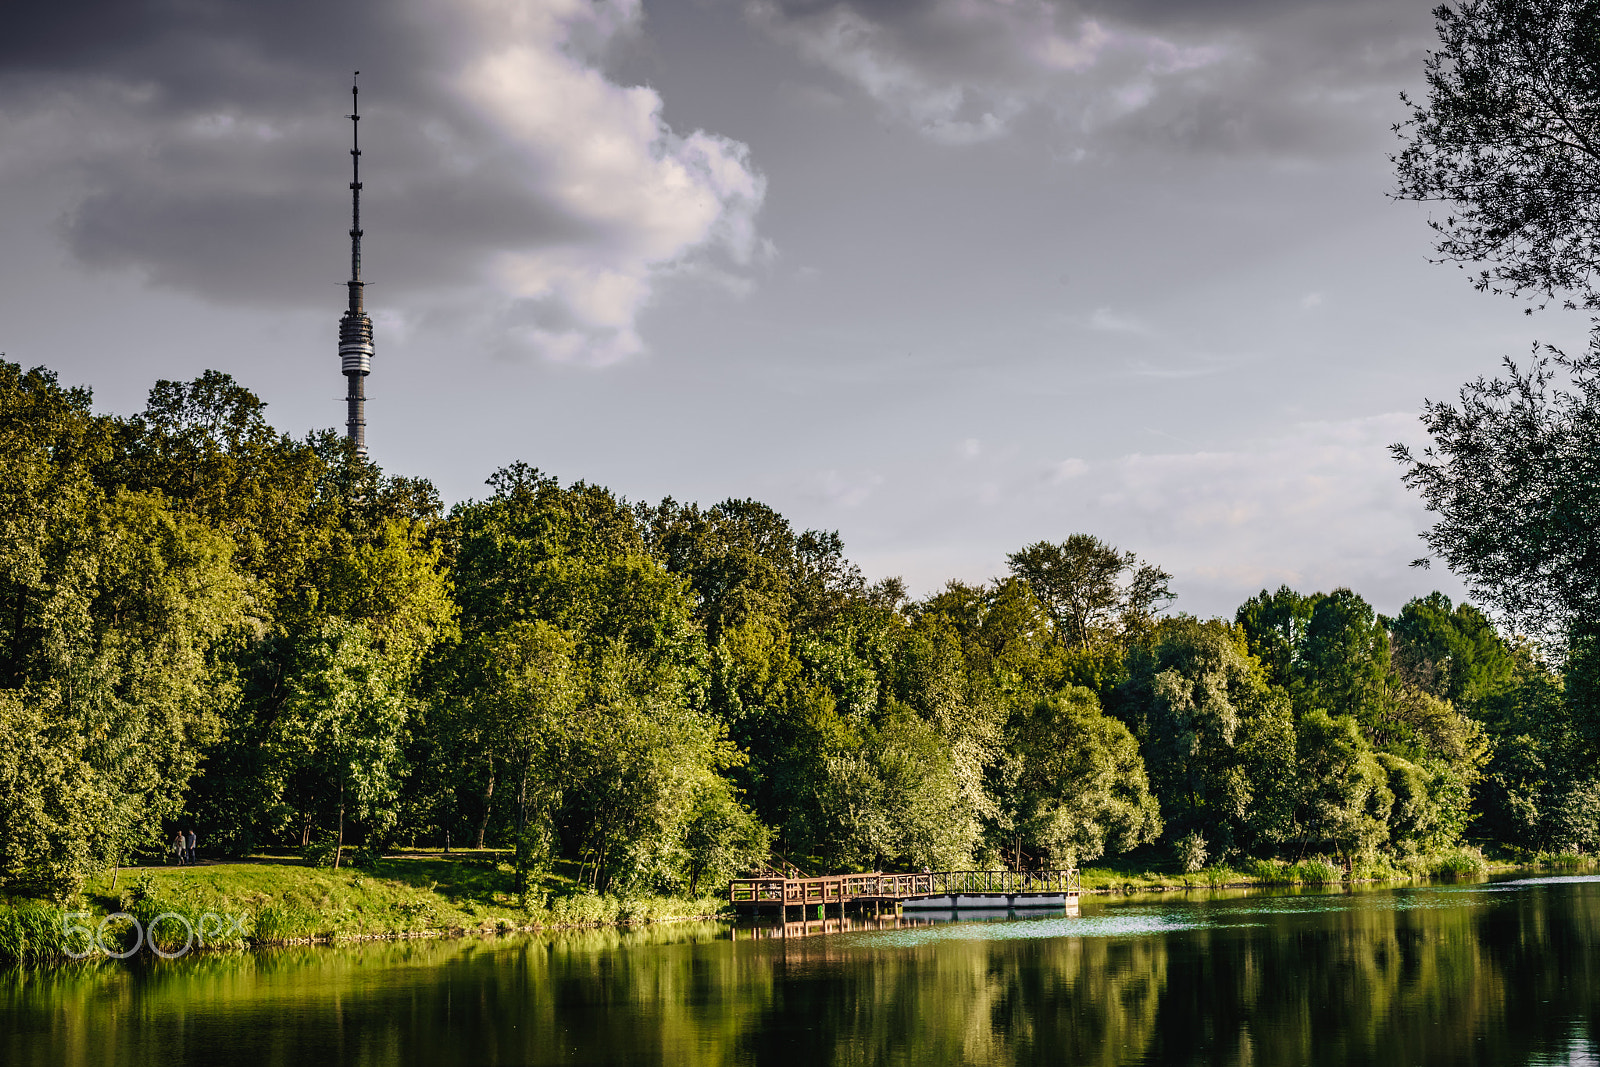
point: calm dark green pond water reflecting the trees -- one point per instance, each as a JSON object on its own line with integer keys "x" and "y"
{"x": 1487, "y": 973}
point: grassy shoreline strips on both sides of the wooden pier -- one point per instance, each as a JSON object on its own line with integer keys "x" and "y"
{"x": 271, "y": 901}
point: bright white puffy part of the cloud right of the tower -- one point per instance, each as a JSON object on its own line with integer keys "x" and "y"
{"x": 642, "y": 196}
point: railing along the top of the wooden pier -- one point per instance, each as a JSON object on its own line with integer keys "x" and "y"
{"x": 878, "y": 885}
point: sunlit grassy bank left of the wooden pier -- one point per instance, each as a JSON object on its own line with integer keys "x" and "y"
{"x": 279, "y": 901}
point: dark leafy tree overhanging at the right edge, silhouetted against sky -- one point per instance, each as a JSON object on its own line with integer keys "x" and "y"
{"x": 1508, "y": 138}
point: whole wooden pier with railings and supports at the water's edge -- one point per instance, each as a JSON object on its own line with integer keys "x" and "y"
{"x": 945, "y": 890}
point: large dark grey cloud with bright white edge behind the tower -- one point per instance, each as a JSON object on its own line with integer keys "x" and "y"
{"x": 207, "y": 151}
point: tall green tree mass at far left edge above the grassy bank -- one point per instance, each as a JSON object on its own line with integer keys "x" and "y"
{"x": 118, "y": 620}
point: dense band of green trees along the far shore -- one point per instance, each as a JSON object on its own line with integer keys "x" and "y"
{"x": 209, "y": 623}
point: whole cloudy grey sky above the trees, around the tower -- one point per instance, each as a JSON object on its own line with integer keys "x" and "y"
{"x": 945, "y": 276}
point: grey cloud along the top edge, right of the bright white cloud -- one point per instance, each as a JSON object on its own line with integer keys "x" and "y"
{"x": 1223, "y": 78}
